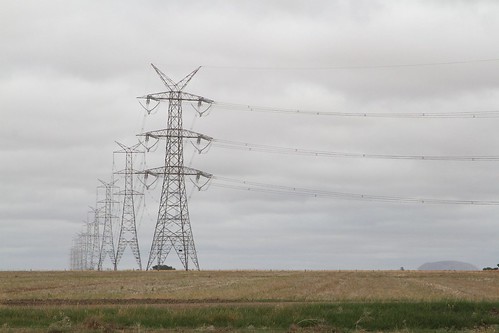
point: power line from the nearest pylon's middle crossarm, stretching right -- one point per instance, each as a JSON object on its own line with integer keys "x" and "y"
{"x": 321, "y": 153}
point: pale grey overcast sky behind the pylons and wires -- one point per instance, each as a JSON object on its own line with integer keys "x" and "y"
{"x": 70, "y": 72}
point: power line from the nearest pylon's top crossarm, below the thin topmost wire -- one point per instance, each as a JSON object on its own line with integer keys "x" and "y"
{"x": 266, "y": 109}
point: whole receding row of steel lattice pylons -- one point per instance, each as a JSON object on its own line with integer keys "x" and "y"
{"x": 173, "y": 228}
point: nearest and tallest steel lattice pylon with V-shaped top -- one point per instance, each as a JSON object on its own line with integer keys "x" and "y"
{"x": 173, "y": 227}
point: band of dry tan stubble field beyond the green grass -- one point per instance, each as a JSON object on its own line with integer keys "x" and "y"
{"x": 301, "y": 286}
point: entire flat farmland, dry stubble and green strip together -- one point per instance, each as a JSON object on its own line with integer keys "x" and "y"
{"x": 317, "y": 301}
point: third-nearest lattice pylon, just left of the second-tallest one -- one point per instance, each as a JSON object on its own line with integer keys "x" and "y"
{"x": 107, "y": 244}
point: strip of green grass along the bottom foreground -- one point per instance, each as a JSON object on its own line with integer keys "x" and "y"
{"x": 392, "y": 316}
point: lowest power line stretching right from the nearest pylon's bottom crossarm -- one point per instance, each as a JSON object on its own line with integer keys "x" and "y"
{"x": 243, "y": 185}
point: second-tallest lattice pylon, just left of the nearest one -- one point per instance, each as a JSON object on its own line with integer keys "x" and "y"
{"x": 128, "y": 228}
